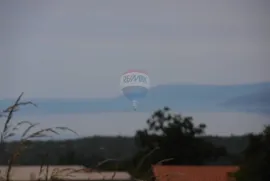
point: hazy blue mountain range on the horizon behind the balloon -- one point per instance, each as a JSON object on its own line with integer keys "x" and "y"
{"x": 179, "y": 97}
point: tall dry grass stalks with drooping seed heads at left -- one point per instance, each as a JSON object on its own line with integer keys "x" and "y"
{"x": 10, "y": 130}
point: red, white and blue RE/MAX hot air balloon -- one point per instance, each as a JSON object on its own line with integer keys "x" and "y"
{"x": 134, "y": 85}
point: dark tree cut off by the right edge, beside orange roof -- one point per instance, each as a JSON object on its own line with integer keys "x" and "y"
{"x": 256, "y": 163}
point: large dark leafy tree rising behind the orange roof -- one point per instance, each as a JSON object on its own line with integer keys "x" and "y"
{"x": 174, "y": 140}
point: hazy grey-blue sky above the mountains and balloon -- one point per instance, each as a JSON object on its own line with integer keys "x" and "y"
{"x": 80, "y": 48}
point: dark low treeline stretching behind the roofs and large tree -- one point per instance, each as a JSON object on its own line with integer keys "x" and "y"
{"x": 89, "y": 151}
